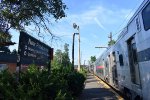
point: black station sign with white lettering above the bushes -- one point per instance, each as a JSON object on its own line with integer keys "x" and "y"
{"x": 32, "y": 51}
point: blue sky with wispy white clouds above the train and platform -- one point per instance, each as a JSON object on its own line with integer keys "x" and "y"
{"x": 96, "y": 19}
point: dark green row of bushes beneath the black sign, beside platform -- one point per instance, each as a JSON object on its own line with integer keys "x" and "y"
{"x": 62, "y": 84}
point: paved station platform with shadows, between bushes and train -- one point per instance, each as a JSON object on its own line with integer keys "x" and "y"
{"x": 96, "y": 89}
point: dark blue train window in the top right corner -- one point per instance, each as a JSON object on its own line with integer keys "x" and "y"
{"x": 146, "y": 18}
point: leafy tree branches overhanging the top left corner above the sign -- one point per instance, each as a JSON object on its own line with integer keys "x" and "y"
{"x": 18, "y": 14}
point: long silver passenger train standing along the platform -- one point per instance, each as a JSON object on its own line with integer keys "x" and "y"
{"x": 126, "y": 65}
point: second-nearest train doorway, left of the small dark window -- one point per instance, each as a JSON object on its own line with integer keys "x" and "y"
{"x": 114, "y": 70}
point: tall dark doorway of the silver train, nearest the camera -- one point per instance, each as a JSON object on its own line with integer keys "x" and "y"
{"x": 133, "y": 62}
